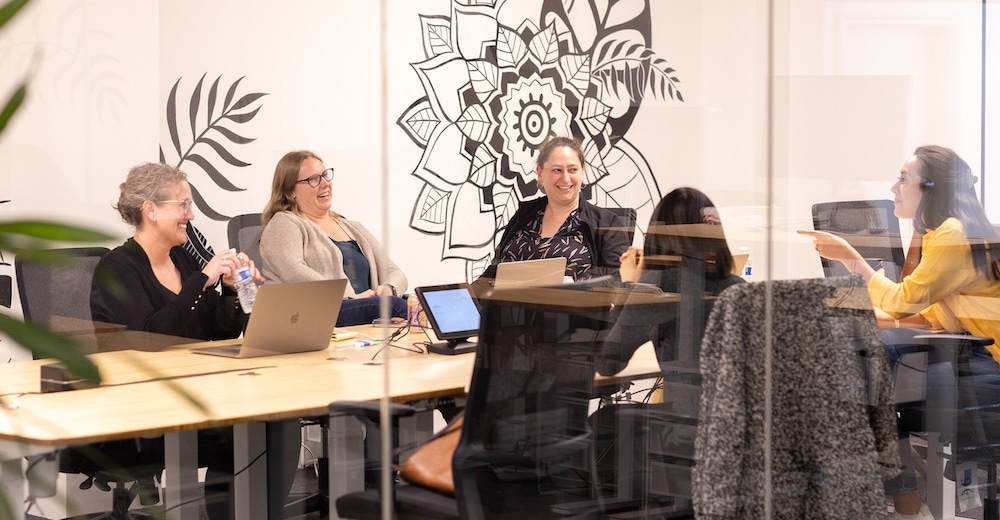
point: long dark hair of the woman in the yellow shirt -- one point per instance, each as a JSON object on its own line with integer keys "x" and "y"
{"x": 948, "y": 191}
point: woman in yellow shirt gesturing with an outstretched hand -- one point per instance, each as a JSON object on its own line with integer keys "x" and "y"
{"x": 955, "y": 286}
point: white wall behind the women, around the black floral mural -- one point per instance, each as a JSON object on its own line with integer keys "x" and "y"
{"x": 856, "y": 85}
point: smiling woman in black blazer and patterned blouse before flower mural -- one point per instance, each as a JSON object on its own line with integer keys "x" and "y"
{"x": 561, "y": 223}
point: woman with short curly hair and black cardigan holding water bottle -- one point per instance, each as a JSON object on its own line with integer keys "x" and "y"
{"x": 168, "y": 292}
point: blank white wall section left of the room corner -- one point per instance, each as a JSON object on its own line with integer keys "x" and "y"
{"x": 91, "y": 109}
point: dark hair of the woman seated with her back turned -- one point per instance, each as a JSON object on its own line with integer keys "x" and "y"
{"x": 689, "y": 206}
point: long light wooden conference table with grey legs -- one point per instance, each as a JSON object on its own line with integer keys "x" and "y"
{"x": 154, "y": 393}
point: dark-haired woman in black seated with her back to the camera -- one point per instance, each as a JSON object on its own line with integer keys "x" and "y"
{"x": 645, "y": 267}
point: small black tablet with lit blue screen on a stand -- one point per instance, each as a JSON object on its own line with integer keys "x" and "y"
{"x": 451, "y": 310}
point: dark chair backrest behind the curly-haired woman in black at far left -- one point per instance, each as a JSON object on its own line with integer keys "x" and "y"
{"x": 59, "y": 288}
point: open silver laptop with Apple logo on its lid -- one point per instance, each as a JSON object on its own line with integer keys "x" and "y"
{"x": 288, "y": 318}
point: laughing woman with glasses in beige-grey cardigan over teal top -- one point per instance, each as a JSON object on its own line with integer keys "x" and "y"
{"x": 305, "y": 240}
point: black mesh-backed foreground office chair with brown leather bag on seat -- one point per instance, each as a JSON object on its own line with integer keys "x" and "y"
{"x": 526, "y": 448}
